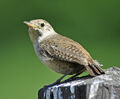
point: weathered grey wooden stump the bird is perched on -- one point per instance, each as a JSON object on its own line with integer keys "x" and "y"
{"x": 105, "y": 86}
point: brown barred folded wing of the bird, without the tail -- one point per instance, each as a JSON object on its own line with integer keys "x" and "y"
{"x": 66, "y": 49}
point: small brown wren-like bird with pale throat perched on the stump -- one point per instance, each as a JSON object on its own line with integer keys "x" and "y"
{"x": 59, "y": 53}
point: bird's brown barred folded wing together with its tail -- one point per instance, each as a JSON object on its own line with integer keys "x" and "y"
{"x": 65, "y": 49}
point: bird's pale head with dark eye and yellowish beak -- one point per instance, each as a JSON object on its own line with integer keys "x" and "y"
{"x": 39, "y": 29}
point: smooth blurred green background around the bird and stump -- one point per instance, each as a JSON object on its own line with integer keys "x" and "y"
{"x": 94, "y": 24}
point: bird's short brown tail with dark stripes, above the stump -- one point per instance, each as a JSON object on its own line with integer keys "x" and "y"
{"x": 95, "y": 69}
